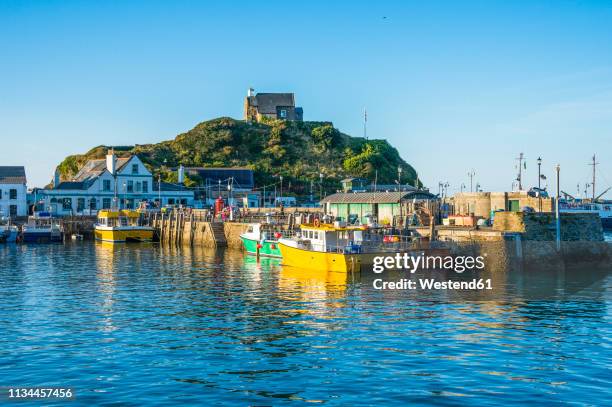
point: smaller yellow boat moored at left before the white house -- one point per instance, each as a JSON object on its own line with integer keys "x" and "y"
{"x": 119, "y": 226}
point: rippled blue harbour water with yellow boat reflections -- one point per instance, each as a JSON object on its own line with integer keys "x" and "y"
{"x": 144, "y": 325}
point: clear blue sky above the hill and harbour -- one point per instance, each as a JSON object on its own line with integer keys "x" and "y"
{"x": 454, "y": 85}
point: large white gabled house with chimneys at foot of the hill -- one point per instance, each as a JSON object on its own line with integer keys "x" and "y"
{"x": 94, "y": 186}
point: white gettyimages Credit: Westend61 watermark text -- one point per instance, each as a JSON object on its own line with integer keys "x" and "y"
{"x": 411, "y": 263}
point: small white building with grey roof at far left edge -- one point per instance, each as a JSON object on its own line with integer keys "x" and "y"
{"x": 13, "y": 192}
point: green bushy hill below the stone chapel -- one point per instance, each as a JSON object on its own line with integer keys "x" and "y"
{"x": 298, "y": 151}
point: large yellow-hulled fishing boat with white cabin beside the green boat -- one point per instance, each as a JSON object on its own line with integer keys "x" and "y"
{"x": 341, "y": 248}
